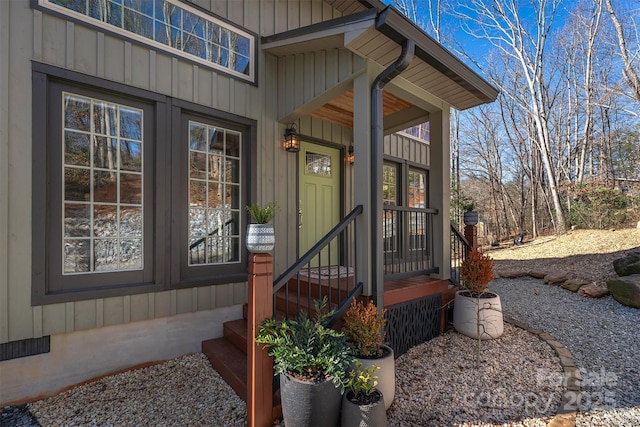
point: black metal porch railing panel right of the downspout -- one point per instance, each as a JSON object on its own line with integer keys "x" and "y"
{"x": 408, "y": 241}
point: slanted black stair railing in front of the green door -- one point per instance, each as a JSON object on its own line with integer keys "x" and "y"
{"x": 315, "y": 276}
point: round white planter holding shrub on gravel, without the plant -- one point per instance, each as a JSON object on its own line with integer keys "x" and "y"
{"x": 465, "y": 315}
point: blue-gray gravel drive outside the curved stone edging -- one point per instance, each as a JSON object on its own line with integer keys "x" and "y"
{"x": 602, "y": 335}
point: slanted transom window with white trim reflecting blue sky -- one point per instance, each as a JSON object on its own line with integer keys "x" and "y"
{"x": 171, "y": 25}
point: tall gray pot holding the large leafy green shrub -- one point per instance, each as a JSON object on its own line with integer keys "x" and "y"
{"x": 306, "y": 404}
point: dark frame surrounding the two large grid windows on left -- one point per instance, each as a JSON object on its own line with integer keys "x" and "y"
{"x": 166, "y": 265}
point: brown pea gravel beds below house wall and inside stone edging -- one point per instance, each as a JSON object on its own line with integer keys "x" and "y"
{"x": 437, "y": 384}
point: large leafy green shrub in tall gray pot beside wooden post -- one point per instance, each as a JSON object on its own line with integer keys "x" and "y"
{"x": 311, "y": 361}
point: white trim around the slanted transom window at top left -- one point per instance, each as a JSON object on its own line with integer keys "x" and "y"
{"x": 112, "y": 28}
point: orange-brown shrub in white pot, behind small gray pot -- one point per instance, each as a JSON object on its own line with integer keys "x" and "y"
{"x": 364, "y": 328}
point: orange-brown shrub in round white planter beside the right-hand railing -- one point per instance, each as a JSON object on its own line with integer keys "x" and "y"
{"x": 477, "y": 312}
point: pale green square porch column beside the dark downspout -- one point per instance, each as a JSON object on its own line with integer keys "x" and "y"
{"x": 362, "y": 174}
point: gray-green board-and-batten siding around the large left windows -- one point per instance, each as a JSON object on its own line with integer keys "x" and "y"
{"x": 27, "y": 34}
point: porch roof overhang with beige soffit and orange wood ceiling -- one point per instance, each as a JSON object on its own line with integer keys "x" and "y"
{"x": 378, "y": 36}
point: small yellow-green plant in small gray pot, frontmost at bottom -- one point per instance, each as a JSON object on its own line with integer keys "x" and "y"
{"x": 363, "y": 403}
